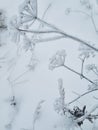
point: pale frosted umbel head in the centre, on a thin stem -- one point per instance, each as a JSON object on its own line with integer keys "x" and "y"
{"x": 57, "y": 60}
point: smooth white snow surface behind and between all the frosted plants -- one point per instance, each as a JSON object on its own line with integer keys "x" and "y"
{"x": 42, "y": 83}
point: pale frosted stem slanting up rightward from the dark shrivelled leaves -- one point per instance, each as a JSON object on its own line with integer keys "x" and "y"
{"x": 87, "y": 114}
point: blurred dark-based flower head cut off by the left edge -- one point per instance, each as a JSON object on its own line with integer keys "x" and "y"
{"x": 3, "y": 23}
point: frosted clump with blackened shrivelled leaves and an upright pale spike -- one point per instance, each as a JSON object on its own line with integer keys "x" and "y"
{"x": 76, "y": 115}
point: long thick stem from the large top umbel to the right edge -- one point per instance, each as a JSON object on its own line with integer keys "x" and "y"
{"x": 67, "y": 35}
